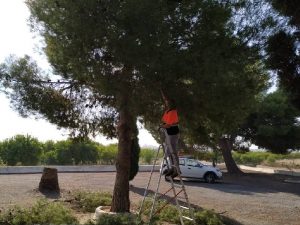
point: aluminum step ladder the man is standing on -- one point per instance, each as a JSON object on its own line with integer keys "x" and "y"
{"x": 185, "y": 211}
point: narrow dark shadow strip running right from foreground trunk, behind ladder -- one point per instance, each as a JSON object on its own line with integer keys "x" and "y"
{"x": 141, "y": 192}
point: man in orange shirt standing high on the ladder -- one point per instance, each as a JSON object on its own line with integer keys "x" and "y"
{"x": 170, "y": 123}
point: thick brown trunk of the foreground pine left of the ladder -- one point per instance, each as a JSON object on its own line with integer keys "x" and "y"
{"x": 120, "y": 201}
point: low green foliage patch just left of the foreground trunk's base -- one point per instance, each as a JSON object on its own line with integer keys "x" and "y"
{"x": 89, "y": 201}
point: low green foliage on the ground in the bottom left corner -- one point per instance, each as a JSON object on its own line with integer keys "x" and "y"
{"x": 43, "y": 212}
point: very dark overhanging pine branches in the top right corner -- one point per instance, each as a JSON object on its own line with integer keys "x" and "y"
{"x": 284, "y": 50}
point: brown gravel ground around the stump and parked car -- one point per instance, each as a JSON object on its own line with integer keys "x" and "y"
{"x": 252, "y": 199}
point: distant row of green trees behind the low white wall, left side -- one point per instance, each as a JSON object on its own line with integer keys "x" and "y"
{"x": 28, "y": 151}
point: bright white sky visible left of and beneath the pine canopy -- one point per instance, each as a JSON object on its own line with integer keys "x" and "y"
{"x": 15, "y": 38}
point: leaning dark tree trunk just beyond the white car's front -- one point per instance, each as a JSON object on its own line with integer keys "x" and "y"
{"x": 226, "y": 147}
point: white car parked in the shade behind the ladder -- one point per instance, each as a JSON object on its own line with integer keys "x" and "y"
{"x": 193, "y": 169}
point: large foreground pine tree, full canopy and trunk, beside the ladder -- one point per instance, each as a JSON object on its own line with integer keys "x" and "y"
{"x": 114, "y": 59}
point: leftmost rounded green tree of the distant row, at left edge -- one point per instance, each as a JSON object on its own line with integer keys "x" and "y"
{"x": 21, "y": 149}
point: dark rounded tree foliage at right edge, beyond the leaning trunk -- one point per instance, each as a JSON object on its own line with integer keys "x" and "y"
{"x": 274, "y": 125}
